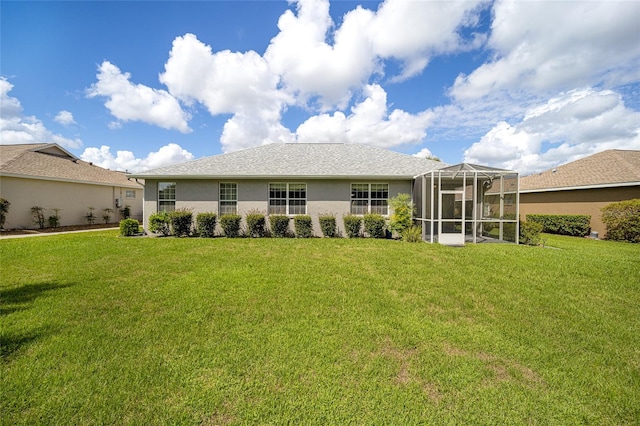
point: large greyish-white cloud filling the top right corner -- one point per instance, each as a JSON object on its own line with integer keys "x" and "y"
{"x": 557, "y": 47}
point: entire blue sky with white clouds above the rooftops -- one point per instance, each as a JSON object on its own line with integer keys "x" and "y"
{"x": 138, "y": 85}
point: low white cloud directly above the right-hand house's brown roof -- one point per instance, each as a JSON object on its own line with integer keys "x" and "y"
{"x": 567, "y": 127}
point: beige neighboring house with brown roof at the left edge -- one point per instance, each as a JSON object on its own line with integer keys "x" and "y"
{"x": 48, "y": 176}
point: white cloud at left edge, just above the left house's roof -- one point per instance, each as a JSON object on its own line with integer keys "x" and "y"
{"x": 15, "y": 128}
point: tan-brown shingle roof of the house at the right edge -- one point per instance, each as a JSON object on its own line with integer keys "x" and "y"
{"x": 606, "y": 169}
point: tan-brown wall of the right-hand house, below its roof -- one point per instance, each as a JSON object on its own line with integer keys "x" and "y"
{"x": 582, "y": 201}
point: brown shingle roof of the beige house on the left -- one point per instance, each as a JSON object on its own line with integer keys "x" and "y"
{"x": 52, "y": 162}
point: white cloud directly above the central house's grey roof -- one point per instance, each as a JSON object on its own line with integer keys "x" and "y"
{"x": 369, "y": 123}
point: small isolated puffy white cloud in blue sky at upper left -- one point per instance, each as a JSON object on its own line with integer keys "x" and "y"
{"x": 136, "y": 102}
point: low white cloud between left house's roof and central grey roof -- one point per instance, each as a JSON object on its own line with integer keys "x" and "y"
{"x": 126, "y": 160}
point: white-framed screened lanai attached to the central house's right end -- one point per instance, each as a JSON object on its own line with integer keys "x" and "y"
{"x": 468, "y": 203}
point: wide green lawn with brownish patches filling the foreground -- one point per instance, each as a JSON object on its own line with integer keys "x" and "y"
{"x": 98, "y": 329}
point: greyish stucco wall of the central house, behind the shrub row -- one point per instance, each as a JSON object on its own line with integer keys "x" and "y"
{"x": 323, "y": 196}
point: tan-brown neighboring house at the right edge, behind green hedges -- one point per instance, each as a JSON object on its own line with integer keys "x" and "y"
{"x": 583, "y": 186}
